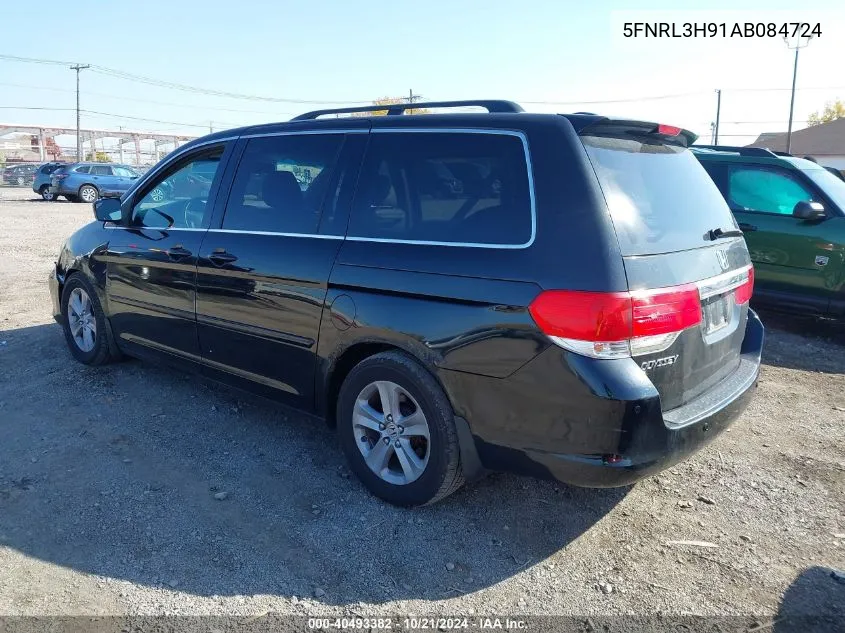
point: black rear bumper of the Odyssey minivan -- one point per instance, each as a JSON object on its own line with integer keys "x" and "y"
{"x": 600, "y": 423}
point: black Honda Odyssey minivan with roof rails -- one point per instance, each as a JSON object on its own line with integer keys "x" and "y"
{"x": 563, "y": 296}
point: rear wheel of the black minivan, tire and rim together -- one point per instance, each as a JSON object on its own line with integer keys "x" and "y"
{"x": 397, "y": 429}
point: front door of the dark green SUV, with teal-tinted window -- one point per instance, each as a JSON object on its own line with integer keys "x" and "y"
{"x": 797, "y": 263}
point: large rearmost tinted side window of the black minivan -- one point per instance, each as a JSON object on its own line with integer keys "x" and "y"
{"x": 447, "y": 187}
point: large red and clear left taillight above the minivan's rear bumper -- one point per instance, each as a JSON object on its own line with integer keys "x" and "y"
{"x": 617, "y": 324}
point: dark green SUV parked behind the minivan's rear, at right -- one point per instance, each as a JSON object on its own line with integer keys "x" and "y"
{"x": 792, "y": 213}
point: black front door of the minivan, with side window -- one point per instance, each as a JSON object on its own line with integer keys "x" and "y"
{"x": 152, "y": 259}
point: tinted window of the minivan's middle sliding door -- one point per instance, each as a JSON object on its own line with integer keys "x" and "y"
{"x": 281, "y": 183}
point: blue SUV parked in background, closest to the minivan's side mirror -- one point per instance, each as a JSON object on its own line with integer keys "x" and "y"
{"x": 89, "y": 181}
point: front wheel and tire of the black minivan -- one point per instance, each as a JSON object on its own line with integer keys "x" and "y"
{"x": 87, "y": 332}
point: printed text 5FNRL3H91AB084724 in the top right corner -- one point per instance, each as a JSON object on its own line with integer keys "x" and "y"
{"x": 721, "y": 29}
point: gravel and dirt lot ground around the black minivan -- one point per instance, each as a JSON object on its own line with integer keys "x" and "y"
{"x": 108, "y": 480}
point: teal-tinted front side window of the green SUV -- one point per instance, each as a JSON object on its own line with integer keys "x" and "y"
{"x": 765, "y": 190}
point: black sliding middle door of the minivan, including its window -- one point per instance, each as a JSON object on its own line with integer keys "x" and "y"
{"x": 263, "y": 274}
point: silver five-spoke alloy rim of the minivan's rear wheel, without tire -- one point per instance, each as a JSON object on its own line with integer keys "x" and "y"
{"x": 391, "y": 432}
